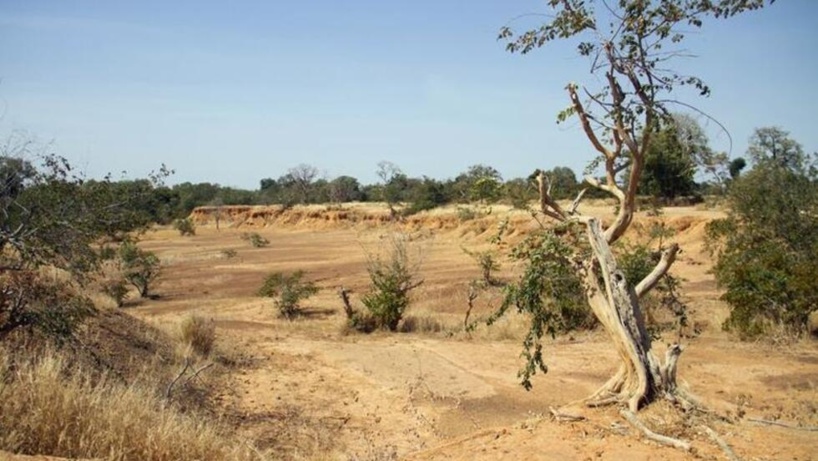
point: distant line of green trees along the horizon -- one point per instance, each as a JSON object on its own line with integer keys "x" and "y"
{"x": 679, "y": 163}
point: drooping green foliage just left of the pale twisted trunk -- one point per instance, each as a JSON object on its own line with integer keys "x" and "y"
{"x": 549, "y": 292}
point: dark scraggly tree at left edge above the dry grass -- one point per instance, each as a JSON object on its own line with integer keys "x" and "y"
{"x": 51, "y": 217}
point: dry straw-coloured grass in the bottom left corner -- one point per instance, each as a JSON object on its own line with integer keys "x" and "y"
{"x": 45, "y": 410}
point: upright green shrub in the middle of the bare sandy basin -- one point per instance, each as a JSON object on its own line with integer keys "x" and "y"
{"x": 393, "y": 278}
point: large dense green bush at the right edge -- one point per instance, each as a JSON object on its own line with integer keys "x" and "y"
{"x": 767, "y": 247}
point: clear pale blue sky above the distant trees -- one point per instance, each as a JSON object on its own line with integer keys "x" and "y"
{"x": 234, "y": 92}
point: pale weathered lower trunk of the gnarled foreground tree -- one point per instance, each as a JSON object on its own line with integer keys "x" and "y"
{"x": 640, "y": 378}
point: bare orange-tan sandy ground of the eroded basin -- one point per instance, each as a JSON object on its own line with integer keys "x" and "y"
{"x": 310, "y": 391}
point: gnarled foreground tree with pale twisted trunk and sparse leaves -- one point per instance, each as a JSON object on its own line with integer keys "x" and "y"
{"x": 630, "y": 45}
